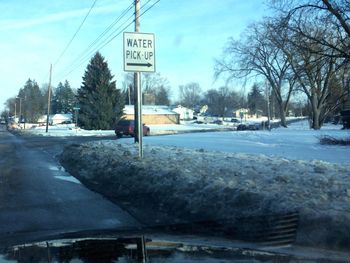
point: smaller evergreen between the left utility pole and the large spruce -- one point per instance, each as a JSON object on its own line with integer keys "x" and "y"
{"x": 64, "y": 99}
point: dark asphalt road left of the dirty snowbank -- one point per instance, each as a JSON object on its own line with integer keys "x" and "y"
{"x": 37, "y": 196}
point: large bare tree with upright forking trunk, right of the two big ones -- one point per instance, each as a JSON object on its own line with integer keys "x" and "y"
{"x": 315, "y": 66}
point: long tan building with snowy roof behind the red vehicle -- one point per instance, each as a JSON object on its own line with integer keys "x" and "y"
{"x": 153, "y": 114}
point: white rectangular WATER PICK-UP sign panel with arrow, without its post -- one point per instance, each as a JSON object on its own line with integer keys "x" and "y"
{"x": 139, "y": 55}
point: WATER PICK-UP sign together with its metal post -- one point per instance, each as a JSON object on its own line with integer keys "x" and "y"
{"x": 139, "y": 56}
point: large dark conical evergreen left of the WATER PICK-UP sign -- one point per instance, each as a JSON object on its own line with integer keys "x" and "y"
{"x": 101, "y": 104}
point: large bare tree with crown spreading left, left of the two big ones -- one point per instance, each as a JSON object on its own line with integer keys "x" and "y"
{"x": 256, "y": 54}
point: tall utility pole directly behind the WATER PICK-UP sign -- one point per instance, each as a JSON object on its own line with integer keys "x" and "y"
{"x": 136, "y": 78}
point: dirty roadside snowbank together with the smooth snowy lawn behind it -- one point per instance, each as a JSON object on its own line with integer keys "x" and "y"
{"x": 216, "y": 175}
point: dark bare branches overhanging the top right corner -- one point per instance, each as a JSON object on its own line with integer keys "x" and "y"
{"x": 324, "y": 14}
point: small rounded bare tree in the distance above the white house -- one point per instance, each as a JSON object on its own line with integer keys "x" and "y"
{"x": 190, "y": 94}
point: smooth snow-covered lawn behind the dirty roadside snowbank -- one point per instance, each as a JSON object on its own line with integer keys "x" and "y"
{"x": 296, "y": 142}
